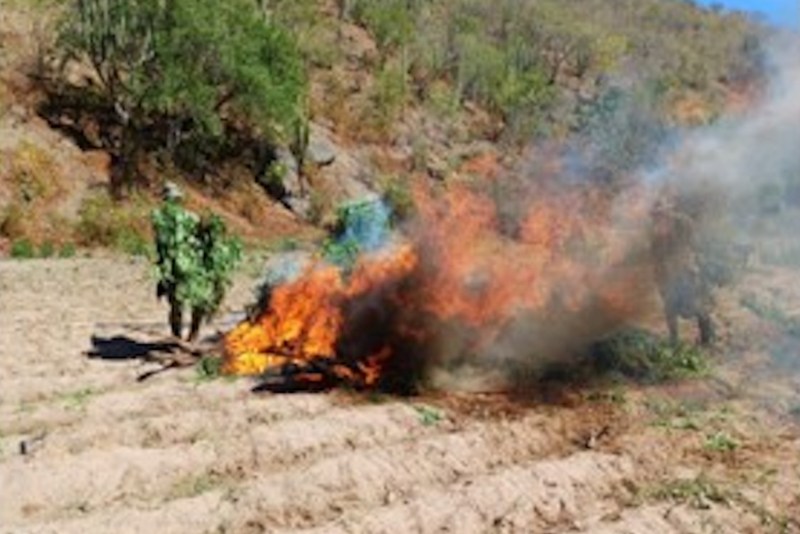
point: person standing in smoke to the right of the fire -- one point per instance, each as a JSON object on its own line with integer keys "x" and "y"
{"x": 681, "y": 271}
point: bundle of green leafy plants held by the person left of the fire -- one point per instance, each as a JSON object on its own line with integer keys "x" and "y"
{"x": 196, "y": 257}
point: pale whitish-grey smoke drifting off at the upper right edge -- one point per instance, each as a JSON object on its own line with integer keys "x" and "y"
{"x": 746, "y": 167}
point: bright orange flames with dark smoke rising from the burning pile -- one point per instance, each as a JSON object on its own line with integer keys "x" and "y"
{"x": 461, "y": 288}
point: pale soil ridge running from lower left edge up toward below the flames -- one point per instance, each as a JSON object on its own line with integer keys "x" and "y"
{"x": 152, "y": 473}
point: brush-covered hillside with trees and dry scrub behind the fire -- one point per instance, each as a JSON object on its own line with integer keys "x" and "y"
{"x": 402, "y": 87}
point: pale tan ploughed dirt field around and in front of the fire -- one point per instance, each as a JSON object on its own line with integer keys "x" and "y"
{"x": 86, "y": 448}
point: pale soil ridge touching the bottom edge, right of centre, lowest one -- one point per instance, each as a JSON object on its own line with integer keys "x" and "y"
{"x": 528, "y": 497}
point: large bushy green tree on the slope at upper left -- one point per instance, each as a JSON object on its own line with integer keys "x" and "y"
{"x": 178, "y": 73}
